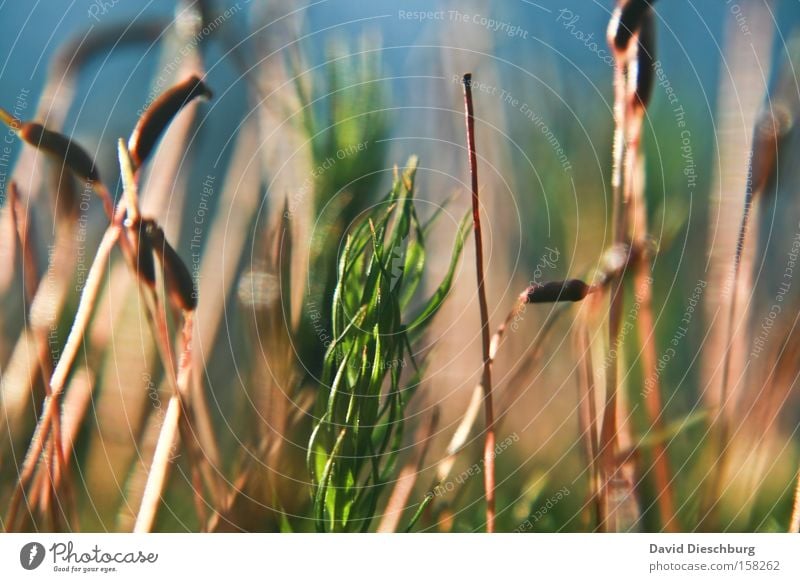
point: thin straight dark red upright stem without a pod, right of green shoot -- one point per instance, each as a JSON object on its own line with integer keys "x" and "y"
{"x": 486, "y": 381}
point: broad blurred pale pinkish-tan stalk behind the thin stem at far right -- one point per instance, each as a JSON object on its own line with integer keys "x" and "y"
{"x": 741, "y": 94}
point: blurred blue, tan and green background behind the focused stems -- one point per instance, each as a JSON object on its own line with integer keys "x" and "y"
{"x": 315, "y": 104}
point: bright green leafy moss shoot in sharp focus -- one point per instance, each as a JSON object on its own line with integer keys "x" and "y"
{"x": 352, "y": 452}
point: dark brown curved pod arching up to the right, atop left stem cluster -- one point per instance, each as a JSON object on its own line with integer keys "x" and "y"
{"x": 159, "y": 115}
